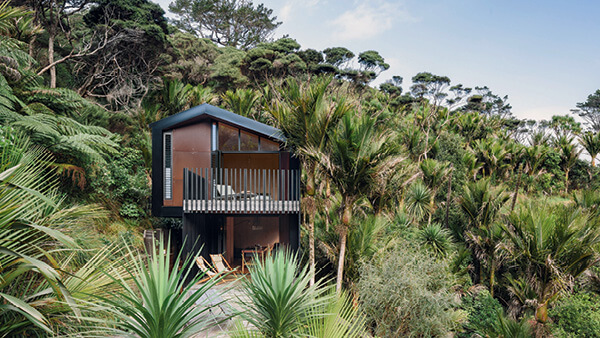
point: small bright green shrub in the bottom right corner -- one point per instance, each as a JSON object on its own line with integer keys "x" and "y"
{"x": 577, "y": 315}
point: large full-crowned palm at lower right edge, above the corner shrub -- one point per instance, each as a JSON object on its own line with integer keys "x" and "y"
{"x": 550, "y": 246}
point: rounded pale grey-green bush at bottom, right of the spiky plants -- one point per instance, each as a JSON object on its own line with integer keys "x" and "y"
{"x": 406, "y": 292}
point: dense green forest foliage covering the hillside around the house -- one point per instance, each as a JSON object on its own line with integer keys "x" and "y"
{"x": 433, "y": 207}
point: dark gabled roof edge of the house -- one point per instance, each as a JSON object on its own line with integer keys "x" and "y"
{"x": 220, "y": 114}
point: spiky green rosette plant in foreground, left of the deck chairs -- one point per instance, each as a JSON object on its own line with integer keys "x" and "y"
{"x": 156, "y": 301}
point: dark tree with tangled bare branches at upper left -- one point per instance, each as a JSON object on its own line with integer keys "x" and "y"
{"x": 122, "y": 71}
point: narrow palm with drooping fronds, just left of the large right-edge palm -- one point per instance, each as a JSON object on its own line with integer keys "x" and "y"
{"x": 482, "y": 204}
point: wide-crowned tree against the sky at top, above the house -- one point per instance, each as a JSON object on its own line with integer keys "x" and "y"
{"x": 236, "y": 23}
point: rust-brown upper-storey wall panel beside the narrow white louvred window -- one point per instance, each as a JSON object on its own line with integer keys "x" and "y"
{"x": 191, "y": 149}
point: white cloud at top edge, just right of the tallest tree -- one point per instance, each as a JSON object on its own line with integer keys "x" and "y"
{"x": 367, "y": 20}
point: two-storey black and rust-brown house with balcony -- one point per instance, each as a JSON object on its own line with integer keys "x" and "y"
{"x": 229, "y": 177}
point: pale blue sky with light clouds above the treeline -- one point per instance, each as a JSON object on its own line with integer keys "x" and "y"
{"x": 543, "y": 54}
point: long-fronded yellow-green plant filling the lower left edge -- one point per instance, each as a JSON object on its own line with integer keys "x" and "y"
{"x": 32, "y": 279}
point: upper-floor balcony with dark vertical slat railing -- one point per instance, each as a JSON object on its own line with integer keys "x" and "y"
{"x": 241, "y": 191}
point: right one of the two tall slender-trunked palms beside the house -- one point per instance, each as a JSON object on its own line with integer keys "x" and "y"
{"x": 357, "y": 155}
